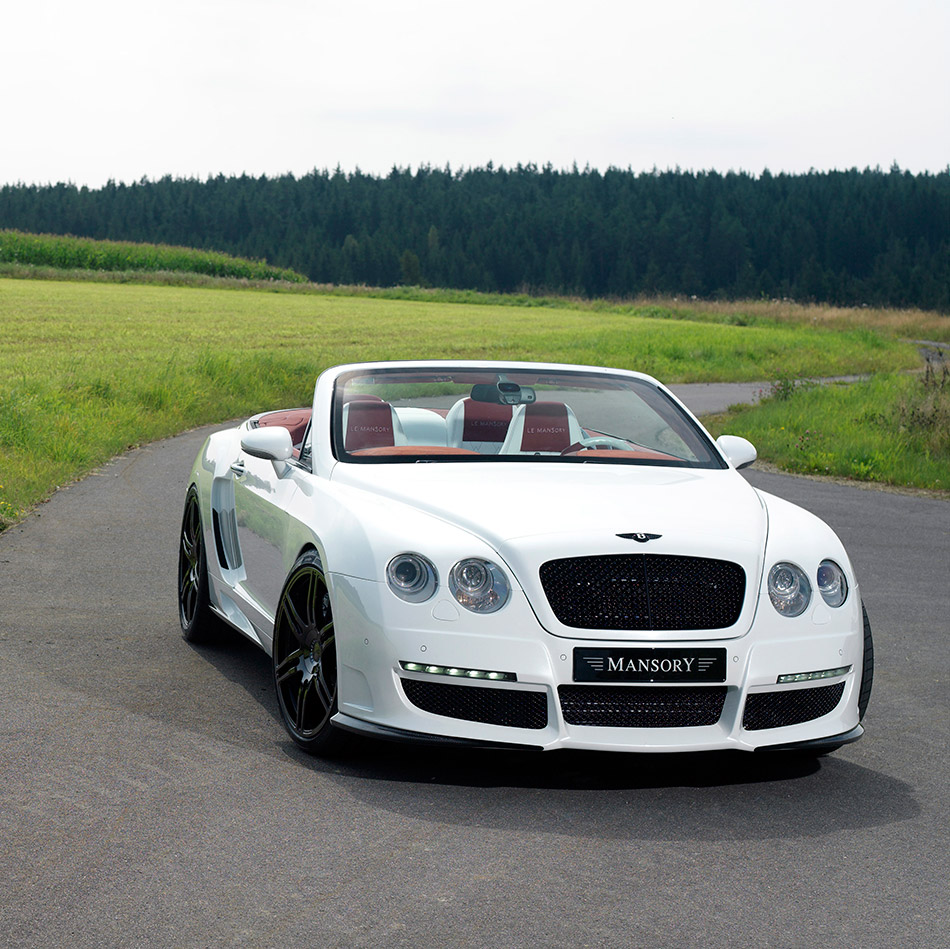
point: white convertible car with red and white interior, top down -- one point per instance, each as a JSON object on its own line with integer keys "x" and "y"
{"x": 520, "y": 554}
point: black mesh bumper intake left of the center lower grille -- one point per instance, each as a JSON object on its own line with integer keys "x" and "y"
{"x": 492, "y": 706}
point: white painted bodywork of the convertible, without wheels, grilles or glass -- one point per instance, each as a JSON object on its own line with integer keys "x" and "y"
{"x": 258, "y": 515}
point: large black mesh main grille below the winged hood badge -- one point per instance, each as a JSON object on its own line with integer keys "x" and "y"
{"x": 644, "y": 591}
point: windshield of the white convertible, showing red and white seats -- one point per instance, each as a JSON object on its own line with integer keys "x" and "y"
{"x": 460, "y": 414}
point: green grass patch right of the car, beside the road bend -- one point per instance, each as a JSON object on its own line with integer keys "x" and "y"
{"x": 892, "y": 429}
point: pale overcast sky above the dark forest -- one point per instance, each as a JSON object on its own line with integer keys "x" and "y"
{"x": 113, "y": 89}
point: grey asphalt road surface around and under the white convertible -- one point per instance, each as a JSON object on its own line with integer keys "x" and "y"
{"x": 150, "y": 797}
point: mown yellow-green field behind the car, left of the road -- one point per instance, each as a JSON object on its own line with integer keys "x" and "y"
{"x": 89, "y": 369}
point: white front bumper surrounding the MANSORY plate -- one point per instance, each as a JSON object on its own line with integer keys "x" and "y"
{"x": 378, "y": 635}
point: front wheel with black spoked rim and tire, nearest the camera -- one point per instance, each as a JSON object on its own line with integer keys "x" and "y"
{"x": 305, "y": 658}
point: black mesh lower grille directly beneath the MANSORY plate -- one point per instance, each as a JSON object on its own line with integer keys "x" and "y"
{"x": 634, "y": 707}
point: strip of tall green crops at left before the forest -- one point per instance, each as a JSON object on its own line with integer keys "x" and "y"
{"x": 83, "y": 253}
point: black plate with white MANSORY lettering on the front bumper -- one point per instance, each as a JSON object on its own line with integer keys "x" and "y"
{"x": 649, "y": 665}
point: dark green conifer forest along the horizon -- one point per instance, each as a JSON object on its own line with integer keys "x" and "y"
{"x": 851, "y": 237}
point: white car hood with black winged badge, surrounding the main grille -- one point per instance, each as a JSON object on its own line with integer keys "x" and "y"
{"x": 534, "y": 512}
